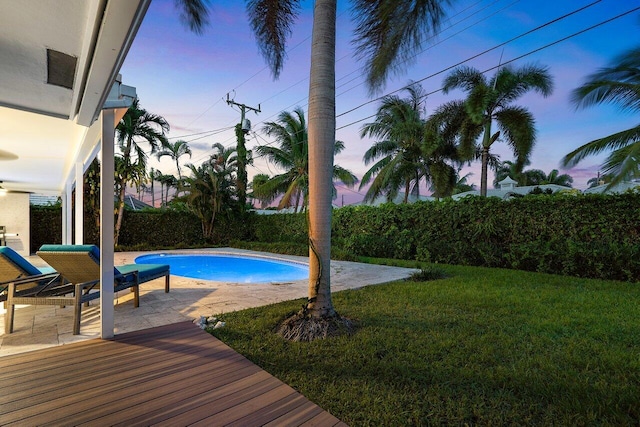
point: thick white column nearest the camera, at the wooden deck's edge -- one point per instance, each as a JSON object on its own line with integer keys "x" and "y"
{"x": 107, "y": 181}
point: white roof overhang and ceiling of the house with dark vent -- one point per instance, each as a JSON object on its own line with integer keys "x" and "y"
{"x": 59, "y": 63}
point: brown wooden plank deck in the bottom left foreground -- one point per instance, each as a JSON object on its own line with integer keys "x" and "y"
{"x": 173, "y": 375}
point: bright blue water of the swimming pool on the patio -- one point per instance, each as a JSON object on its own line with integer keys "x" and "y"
{"x": 228, "y": 268}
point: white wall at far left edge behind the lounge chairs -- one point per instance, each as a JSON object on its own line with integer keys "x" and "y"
{"x": 14, "y": 215}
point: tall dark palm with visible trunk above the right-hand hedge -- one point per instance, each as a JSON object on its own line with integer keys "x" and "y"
{"x": 490, "y": 100}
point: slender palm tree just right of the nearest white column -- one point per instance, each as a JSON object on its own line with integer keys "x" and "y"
{"x": 137, "y": 126}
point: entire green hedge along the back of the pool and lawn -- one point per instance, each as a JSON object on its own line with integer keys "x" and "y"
{"x": 579, "y": 235}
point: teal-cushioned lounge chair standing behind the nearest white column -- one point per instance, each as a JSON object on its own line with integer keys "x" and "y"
{"x": 80, "y": 265}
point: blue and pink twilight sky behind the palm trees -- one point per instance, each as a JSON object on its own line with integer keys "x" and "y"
{"x": 186, "y": 78}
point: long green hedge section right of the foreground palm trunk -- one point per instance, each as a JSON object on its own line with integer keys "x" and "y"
{"x": 585, "y": 236}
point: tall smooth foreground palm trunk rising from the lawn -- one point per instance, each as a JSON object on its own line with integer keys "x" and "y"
{"x": 321, "y": 132}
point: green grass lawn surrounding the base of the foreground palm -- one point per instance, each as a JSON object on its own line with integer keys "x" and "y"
{"x": 482, "y": 346}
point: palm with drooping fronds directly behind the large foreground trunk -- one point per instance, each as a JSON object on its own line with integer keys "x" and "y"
{"x": 290, "y": 131}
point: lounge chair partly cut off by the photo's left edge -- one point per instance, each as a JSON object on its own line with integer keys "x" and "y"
{"x": 14, "y": 267}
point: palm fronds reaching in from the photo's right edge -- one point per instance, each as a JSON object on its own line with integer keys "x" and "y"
{"x": 619, "y": 84}
